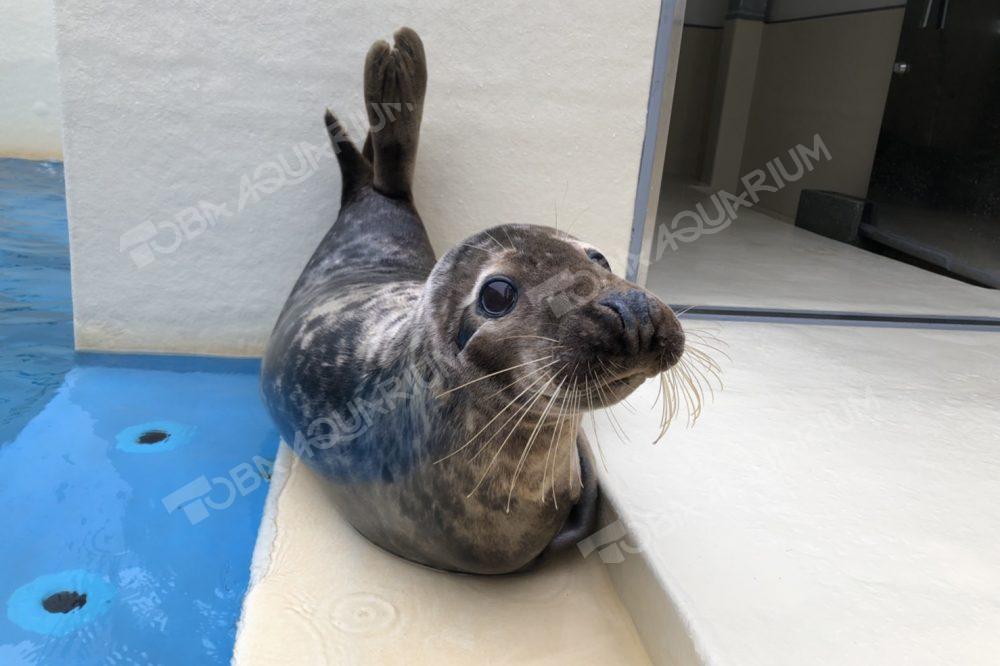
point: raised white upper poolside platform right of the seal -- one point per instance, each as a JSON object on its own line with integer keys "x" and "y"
{"x": 837, "y": 503}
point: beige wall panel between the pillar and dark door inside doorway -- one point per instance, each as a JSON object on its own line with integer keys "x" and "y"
{"x": 828, "y": 76}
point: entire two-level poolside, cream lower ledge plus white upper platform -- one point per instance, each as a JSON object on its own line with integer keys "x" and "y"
{"x": 836, "y": 504}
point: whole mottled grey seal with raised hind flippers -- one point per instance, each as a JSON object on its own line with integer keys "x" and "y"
{"x": 442, "y": 398}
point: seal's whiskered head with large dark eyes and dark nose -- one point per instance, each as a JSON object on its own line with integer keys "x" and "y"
{"x": 533, "y": 304}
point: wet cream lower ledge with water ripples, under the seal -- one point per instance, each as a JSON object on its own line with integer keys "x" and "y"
{"x": 320, "y": 593}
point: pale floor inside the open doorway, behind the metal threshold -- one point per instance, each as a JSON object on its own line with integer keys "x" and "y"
{"x": 761, "y": 261}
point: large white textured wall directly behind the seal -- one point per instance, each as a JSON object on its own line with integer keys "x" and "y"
{"x": 187, "y": 231}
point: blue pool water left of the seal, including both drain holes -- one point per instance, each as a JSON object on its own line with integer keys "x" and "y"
{"x": 132, "y": 486}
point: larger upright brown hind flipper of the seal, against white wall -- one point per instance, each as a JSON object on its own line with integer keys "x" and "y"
{"x": 395, "y": 82}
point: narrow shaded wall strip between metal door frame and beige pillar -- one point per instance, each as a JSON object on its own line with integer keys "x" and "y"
{"x": 696, "y": 70}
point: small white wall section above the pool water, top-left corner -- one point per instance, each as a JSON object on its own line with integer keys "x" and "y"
{"x": 29, "y": 82}
